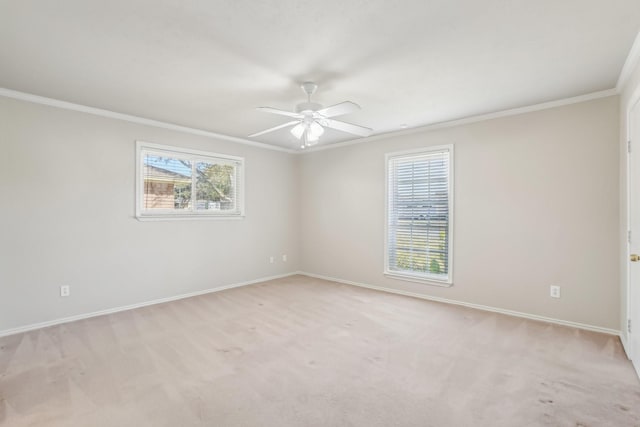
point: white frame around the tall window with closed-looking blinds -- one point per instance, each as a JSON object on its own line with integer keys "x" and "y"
{"x": 424, "y": 278}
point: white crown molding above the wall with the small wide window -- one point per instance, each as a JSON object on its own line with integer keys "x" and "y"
{"x": 36, "y": 99}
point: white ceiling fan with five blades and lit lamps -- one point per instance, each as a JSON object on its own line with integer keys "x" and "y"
{"x": 311, "y": 118}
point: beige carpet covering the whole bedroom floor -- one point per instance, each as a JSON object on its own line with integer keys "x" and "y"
{"x": 305, "y": 352}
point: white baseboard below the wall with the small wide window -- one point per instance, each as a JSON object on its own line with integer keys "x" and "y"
{"x": 31, "y": 327}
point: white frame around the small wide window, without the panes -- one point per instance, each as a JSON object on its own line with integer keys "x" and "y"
{"x": 143, "y": 148}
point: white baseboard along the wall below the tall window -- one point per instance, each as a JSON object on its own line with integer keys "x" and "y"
{"x": 470, "y": 305}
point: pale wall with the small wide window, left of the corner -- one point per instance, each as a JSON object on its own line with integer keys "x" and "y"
{"x": 67, "y": 217}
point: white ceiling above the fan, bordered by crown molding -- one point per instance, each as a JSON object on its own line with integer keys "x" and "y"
{"x": 207, "y": 64}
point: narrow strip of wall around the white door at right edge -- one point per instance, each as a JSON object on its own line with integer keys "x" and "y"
{"x": 629, "y": 93}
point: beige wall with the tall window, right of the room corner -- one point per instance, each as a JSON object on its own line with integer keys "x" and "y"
{"x": 536, "y": 204}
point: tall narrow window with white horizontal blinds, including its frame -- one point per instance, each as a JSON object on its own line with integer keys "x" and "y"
{"x": 419, "y": 214}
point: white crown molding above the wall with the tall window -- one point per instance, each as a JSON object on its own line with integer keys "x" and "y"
{"x": 468, "y": 120}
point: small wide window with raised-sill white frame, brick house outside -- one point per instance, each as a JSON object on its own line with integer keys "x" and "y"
{"x": 179, "y": 183}
